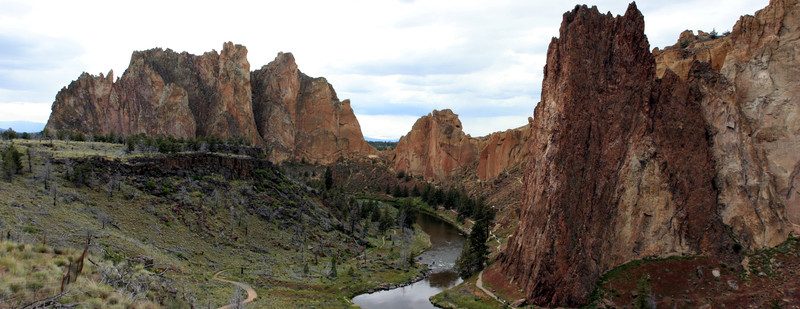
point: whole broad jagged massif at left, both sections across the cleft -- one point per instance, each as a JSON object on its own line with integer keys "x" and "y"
{"x": 167, "y": 93}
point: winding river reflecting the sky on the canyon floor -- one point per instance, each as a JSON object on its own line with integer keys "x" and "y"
{"x": 446, "y": 245}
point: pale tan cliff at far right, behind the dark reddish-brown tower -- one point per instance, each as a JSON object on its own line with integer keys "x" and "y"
{"x": 751, "y": 108}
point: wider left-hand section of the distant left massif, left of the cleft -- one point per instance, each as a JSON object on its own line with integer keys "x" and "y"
{"x": 164, "y": 93}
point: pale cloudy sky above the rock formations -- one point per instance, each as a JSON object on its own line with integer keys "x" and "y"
{"x": 396, "y": 60}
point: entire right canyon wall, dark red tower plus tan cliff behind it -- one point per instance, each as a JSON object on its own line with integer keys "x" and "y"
{"x": 633, "y": 154}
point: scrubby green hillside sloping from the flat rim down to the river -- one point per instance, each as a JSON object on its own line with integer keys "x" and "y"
{"x": 189, "y": 215}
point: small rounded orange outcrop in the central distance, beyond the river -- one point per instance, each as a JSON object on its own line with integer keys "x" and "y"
{"x": 435, "y": 147}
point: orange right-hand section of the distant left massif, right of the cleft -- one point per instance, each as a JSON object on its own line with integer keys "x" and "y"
{"x": 301, "y": 117}
